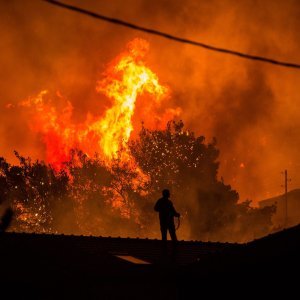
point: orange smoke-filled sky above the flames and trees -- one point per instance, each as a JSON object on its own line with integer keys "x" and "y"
{"x": 250, "y": 107}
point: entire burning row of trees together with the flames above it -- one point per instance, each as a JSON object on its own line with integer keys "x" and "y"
{"x": 102, "y": 176}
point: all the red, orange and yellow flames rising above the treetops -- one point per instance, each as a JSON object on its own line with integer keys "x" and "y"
{"x": 125, "y": 79}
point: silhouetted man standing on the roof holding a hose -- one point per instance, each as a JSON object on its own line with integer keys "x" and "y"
{"x": 167, "y": 213}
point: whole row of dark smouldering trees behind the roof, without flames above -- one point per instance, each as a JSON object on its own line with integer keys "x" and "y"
{"x": 86, "y": 197}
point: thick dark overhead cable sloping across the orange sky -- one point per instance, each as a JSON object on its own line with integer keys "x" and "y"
{"x": 172, "y": 37}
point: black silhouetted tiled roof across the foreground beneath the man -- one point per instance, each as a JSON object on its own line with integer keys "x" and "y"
{"x": 44, "y": 266}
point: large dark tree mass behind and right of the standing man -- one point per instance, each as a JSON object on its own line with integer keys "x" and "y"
{"x": 177, "y": 159}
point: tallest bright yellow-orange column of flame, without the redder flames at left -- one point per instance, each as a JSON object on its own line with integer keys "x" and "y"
{"x": 125, "y": 80}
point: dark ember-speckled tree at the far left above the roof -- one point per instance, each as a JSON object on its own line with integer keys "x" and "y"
{"x": 33, "y": 190}
